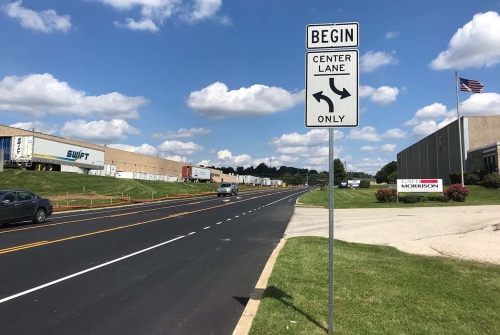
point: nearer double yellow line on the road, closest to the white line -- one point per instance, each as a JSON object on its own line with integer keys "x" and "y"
{"x": 36, "y": 244}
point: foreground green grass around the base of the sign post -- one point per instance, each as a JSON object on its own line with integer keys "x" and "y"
{"x": 378, "y": 291}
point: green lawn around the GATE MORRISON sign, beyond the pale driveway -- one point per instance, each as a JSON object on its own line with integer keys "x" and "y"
{"x": 365, "y": 198}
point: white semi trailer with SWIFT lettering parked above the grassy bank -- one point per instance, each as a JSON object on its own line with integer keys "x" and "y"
{"x": 40, "y": 153}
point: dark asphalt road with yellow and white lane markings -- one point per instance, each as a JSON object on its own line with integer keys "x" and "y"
{"x": 177, "y": 267}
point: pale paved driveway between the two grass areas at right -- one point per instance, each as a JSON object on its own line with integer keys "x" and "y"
{"x": 467, "y": 232}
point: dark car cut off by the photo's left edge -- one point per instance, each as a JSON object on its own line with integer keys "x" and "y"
{"x": 21, "y": 205}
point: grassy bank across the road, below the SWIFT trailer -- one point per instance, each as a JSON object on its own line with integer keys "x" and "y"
{"x": 80, "y": 187}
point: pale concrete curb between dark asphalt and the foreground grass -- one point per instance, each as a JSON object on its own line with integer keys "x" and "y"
{"x": 245, "y": 322}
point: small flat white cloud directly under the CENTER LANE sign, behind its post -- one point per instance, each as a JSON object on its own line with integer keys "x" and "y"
{"x": 312, "y": 138}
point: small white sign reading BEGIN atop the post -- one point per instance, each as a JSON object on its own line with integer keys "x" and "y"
{"x": 333, "y": 35}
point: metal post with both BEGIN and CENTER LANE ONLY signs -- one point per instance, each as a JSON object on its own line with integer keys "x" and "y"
{"x": 332, "y": 81}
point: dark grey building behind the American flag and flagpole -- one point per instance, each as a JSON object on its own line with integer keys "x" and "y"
{"x": 438, "y": 155}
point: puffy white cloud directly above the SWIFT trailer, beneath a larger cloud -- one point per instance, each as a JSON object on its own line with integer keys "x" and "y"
{"x": 98, "y": 131}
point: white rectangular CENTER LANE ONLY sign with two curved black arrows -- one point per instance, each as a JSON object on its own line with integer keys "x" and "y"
{"x": 332, "y": 83}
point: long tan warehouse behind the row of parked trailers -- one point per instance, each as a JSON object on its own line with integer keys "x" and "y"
{"x": 124, "y": 161}
